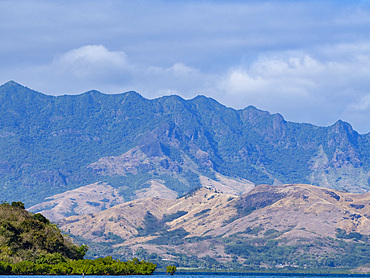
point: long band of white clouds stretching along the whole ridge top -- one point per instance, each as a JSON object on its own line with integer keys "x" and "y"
{"x": 316, "y": 85}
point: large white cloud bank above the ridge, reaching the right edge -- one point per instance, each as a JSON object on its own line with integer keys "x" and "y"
{"x": 305, "y": 86}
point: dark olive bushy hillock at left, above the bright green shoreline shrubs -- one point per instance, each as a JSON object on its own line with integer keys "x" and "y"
{"x": 28, "y": 237}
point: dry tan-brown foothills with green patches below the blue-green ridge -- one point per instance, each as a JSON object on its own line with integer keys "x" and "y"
{"x": 305, "y": 225}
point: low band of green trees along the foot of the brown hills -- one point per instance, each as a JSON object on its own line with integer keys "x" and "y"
{"x": 265, "y": 254}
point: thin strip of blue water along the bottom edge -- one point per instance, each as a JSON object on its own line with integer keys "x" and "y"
{"x": 202, "y": 275}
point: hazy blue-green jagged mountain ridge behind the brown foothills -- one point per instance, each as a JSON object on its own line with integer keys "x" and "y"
{"x": 49, "y": 144}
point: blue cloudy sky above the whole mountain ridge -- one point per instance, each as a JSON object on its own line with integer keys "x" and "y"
{"x": 307, "y": 60}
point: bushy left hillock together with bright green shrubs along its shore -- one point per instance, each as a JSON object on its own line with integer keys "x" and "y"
{"x": 30, "y": 244}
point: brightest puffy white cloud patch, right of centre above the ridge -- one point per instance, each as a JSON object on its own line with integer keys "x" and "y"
{"x": 287, "y": 77}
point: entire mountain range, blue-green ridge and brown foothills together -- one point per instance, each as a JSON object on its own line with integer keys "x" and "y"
{"x": 190, "y": 182}
